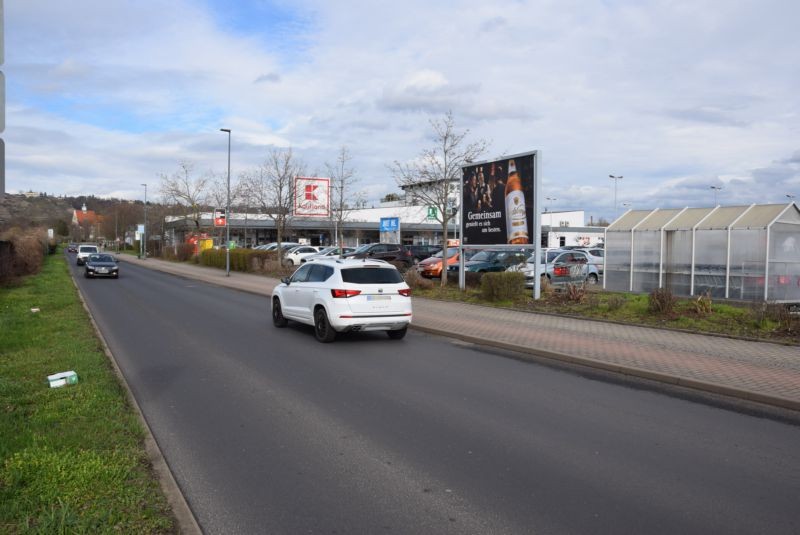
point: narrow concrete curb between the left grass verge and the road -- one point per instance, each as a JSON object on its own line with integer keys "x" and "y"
{"x": 187, "y": 523}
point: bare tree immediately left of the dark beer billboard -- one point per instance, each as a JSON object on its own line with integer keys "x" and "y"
{"x": 432, "y": 179}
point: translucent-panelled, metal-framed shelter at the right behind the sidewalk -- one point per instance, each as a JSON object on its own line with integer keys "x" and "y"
{"x": 734, "y": 252}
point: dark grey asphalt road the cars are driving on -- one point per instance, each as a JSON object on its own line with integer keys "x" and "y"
{"x": 269, "y": 431}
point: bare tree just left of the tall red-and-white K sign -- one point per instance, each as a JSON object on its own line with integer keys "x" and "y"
{"x": 271, "y": 186}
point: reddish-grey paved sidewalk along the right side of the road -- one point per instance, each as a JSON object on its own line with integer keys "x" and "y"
{"x": 756, "y": 371}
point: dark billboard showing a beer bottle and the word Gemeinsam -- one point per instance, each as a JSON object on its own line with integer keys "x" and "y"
{"x": 497, "y": 200}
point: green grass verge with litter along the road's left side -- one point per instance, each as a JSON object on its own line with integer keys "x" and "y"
{"x": 72, "y": 459}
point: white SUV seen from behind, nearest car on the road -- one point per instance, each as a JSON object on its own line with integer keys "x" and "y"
{"x": 344, "y": 295}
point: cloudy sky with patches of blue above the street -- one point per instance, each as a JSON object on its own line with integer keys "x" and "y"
{"x": 675, "y": 96}
